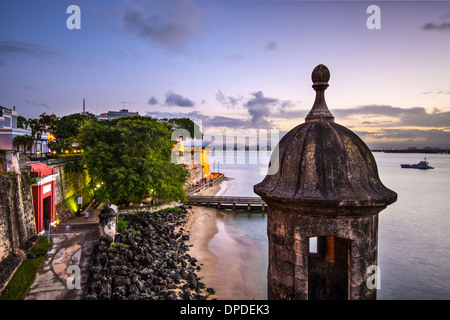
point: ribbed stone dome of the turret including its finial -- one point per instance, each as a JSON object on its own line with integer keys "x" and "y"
{"x": 323, "y": 163}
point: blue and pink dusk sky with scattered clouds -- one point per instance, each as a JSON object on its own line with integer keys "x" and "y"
{"x": 235, "y": 64}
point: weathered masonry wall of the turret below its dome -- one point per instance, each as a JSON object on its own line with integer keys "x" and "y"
{"x": 289, "y": 230}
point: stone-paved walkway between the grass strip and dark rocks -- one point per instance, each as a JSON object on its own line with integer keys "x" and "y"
{"x": 73, "y": 242}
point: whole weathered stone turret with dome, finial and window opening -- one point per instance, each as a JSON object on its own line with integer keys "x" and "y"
{"x": 327, "y": 191}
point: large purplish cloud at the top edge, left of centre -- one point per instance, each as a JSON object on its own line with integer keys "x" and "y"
{"x": 170, "y": 23}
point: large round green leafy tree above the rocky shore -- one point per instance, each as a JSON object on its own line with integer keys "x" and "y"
{"x": 128, "y": 160}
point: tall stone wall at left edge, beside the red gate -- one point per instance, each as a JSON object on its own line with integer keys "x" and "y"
{"x": 17, "y": 222}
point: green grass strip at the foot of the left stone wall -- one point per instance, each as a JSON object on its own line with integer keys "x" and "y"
{"x": 22, "y": 279}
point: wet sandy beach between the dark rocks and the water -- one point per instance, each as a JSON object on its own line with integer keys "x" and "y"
{"x": 225, "y": 256}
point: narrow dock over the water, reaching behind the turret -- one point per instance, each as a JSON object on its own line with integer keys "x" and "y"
{"x": 228, "y": 202}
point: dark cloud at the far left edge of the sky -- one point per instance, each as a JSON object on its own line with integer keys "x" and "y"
{"x": 16, "y": 50}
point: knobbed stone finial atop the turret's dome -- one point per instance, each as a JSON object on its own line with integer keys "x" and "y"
{"x": 319, "y": 111}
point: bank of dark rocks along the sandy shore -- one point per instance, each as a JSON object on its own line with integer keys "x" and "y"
{"x": 148, "y": 261}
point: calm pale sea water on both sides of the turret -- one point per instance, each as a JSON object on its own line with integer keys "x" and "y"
{"x": 413, "y": 243}
